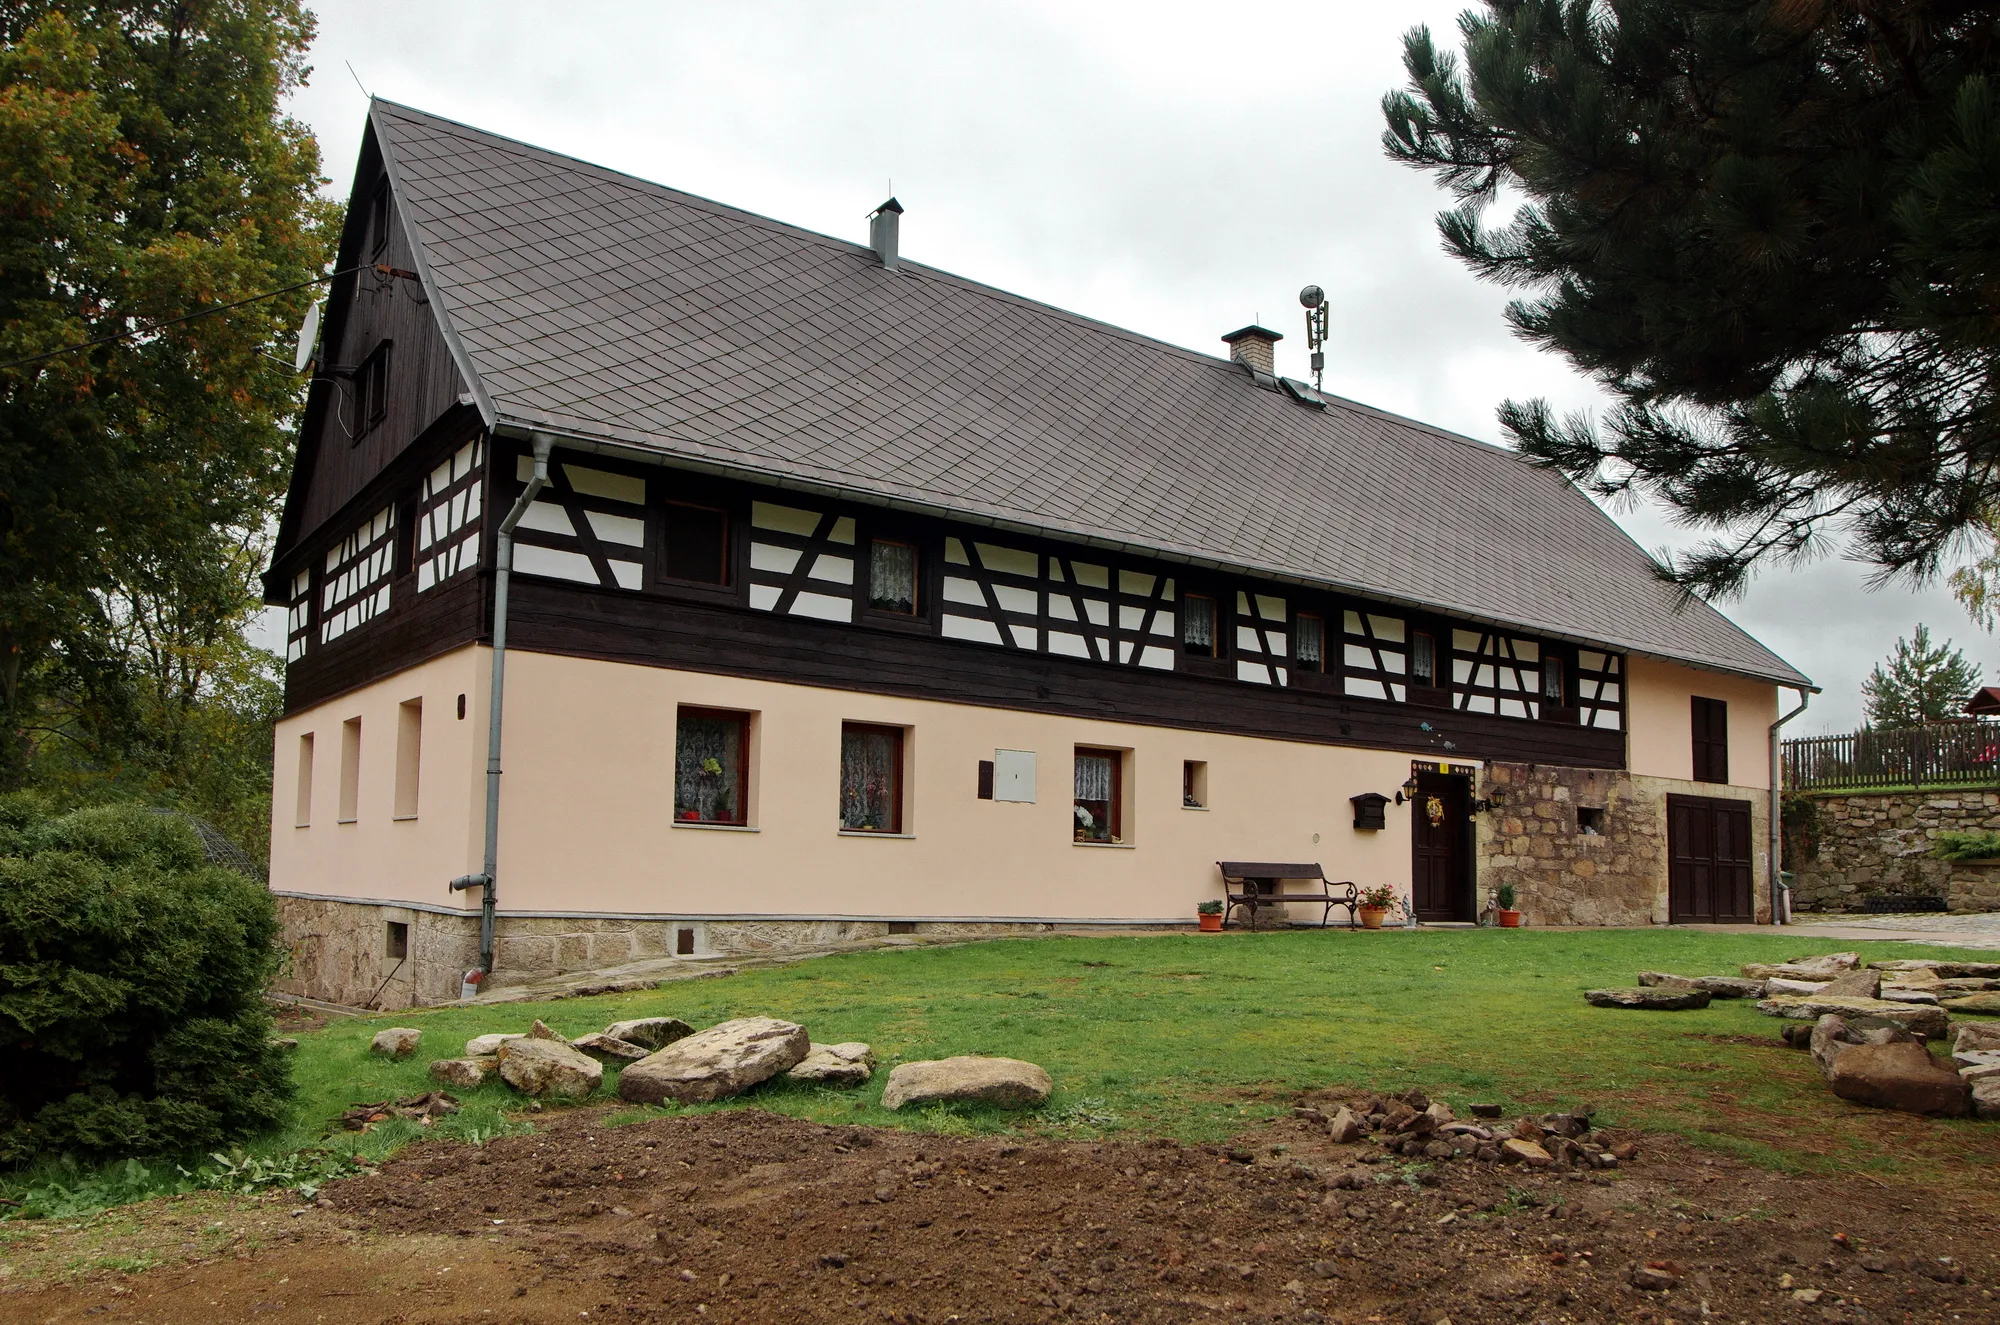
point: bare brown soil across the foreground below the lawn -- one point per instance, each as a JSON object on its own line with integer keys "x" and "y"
{"x": 745, "y": 1216}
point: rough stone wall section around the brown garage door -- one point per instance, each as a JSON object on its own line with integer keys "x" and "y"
{"x": 1565, "y": 874}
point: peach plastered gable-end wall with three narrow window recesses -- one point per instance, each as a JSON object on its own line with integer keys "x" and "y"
{"x": 379, "y": 856}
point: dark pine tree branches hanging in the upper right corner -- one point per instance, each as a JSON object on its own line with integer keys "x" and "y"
{"x": 1769, "y": 229}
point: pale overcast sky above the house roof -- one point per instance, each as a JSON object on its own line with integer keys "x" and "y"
{"x": 1175, "y": 169}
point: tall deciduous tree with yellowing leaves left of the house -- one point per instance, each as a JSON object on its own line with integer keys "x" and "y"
{"x": 147, "y": 169}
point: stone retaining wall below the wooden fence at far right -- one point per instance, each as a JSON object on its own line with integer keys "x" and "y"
{"x": 1881, "y": 846}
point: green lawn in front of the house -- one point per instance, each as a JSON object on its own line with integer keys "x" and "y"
{"x": 1199, "y": 1036}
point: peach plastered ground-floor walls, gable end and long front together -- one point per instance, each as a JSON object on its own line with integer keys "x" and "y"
{"x": 587, "y": 824}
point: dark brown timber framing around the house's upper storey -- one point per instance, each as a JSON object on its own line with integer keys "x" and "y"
{"x": 711, "y": 629}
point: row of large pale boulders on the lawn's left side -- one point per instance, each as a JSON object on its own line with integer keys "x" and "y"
{"x": 663, "y": 1060}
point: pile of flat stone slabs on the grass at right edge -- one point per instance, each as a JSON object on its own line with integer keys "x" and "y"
{"x": 1865, "y": 1026}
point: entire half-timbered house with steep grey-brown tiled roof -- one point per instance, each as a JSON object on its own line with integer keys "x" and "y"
{"x": 843, "y": 595}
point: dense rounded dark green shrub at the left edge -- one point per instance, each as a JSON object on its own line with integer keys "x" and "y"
{"x": 133, "y": 980}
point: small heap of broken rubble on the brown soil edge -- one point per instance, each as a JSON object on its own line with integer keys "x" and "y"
{"x": 1419, "y": 1128}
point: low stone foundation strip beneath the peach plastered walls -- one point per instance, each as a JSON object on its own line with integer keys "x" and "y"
{"x": 339, "y": 950}
